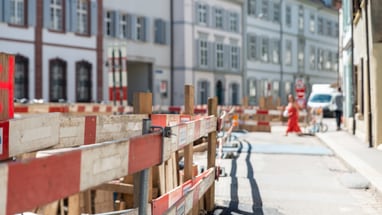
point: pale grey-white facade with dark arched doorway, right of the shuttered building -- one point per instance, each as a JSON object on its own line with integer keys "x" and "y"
{"x": 208, "y": 50}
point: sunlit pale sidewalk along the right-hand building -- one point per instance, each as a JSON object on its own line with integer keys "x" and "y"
{"x": 356, "y": 153}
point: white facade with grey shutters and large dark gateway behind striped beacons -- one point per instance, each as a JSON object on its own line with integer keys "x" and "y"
{"x": 140, "y": 30}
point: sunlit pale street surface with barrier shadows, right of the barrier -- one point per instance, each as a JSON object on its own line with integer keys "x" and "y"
{"x": 269, "y": 173}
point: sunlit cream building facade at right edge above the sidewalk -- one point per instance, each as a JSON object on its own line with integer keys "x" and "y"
{"x": 367, "y": 52}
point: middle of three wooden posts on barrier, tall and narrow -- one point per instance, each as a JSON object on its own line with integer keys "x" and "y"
{"x": 188, "y": 150}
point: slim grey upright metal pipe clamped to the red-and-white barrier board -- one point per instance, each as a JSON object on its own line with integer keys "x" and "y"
{"x": 144, "y": 177}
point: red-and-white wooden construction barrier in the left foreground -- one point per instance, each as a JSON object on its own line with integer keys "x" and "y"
{"x": 70, "y": 156}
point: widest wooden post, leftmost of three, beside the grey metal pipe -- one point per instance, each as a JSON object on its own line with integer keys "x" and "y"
{"x": 142, "y": 105}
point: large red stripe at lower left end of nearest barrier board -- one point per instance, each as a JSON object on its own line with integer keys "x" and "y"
{"x": 42, "y": 180}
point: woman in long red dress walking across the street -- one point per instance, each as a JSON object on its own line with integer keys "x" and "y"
{"x": 292, "y": 110}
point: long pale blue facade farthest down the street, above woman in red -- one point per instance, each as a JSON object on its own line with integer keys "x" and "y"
{"x": 289, "y": 41}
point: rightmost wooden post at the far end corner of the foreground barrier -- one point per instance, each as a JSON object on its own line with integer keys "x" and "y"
{"x": 211, "y": 154}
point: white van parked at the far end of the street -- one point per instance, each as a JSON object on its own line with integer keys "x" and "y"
{"x": 322, "y": 96}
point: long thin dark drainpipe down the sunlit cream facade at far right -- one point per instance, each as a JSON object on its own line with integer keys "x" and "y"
{"x": 368, "y": 75}
